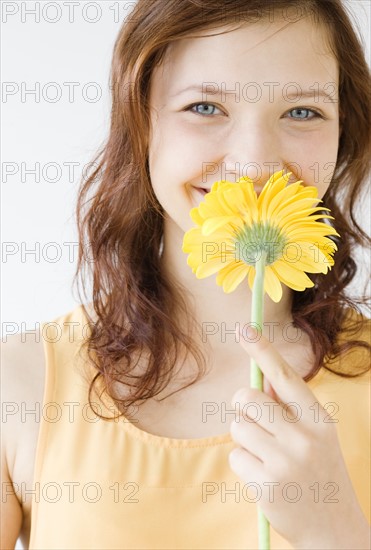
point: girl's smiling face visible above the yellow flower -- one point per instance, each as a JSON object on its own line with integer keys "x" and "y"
{"x": 245, "y": 103}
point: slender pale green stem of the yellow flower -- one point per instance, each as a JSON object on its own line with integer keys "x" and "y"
{"x": 256, "y": 375}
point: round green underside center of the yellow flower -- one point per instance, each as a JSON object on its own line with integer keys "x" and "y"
{"x": 252, "y": 240}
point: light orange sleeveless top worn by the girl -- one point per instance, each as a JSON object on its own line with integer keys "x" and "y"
{"x": 106, "y": 484}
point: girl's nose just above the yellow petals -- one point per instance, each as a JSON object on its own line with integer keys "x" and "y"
{"x": 254, "y": 151}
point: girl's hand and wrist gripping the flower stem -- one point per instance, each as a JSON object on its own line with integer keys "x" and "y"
{"x": 293, "y": 459}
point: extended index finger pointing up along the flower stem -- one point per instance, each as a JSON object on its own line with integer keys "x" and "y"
{"x": 285, "y": 382}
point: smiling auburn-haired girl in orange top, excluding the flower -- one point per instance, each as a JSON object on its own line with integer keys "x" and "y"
{"x": 149, "y": 436}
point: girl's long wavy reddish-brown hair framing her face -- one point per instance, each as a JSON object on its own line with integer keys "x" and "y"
{"x": 120, "y": 220}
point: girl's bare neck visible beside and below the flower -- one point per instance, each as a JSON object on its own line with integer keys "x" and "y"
{"x": 217, "y": 314}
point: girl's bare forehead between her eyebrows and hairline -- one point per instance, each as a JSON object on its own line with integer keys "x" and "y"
{"x": 278, "y": 52}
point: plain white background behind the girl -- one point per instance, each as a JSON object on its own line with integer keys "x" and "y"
{"x": 37, "y": 213}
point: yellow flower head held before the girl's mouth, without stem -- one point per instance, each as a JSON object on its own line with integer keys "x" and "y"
{"x": 235, "y": 226}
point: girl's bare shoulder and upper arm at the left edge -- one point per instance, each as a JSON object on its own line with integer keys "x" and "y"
{"x": 22, "y": 388}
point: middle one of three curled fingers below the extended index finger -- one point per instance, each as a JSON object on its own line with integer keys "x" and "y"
{"x": 252, "y": 438}
